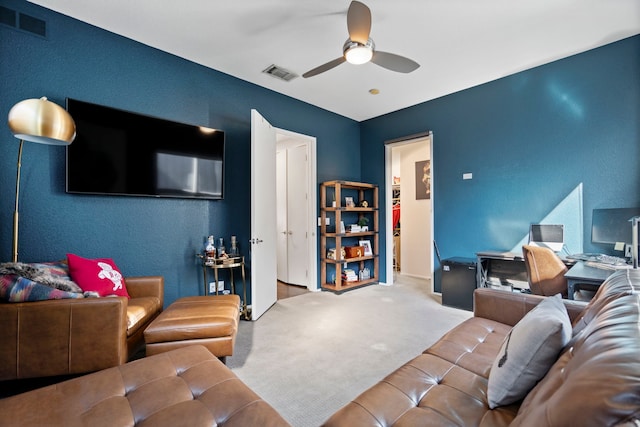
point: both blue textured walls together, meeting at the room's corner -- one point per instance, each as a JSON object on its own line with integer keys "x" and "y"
{"x": 529, "y": 139}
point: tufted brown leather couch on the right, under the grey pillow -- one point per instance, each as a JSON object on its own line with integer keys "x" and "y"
{"x": 594, "y": 382}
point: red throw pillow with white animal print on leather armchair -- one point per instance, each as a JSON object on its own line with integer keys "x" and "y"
{"x": 97, "y": 275}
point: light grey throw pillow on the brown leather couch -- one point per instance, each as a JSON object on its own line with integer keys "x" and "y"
{"x": 530, "y": 349}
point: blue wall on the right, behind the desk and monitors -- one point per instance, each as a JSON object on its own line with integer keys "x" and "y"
{"x": 530, "y": 140}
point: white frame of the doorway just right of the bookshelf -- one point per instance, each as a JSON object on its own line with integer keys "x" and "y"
{"x": 388, "y": 197}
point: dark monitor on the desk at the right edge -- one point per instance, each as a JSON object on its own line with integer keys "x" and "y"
{"x": 610, "y": 226}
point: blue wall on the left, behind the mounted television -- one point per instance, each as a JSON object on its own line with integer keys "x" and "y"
{"x": 144, "y": 236}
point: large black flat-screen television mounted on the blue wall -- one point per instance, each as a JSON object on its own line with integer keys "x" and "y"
{"x": 118, "y": 152}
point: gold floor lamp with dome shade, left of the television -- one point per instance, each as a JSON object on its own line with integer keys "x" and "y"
{"x": 41, "y": 121}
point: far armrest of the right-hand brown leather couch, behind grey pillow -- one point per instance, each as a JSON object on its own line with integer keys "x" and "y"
{"x": 509, "y": 307}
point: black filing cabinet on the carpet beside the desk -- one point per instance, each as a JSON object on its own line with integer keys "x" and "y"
{"x": 458, "y": 282}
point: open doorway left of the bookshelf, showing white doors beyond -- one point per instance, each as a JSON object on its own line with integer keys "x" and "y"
{"x": 295, "y": 200}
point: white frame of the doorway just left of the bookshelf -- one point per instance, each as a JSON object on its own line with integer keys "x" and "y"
{"x": 312, "y": 201}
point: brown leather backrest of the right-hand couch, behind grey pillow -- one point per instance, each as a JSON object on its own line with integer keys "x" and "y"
{"x": 596, "y": 381}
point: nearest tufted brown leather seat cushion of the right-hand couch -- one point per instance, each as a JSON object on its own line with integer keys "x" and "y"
{"x": 426, "y": 391}
